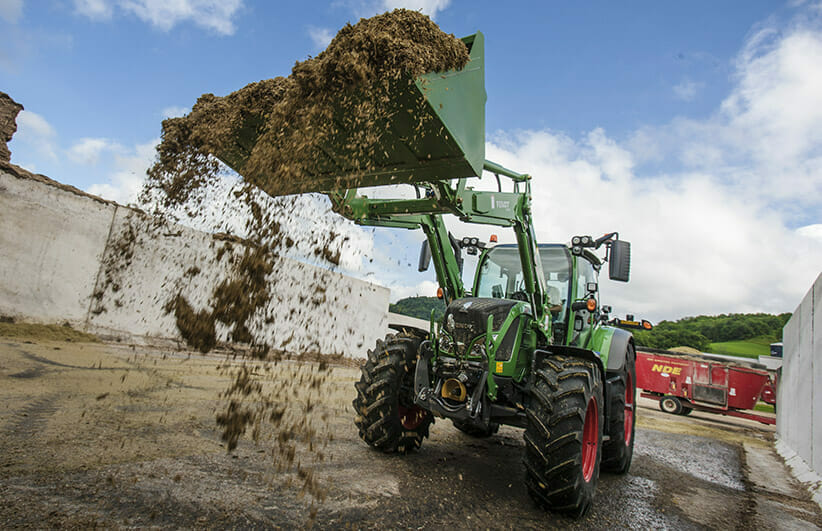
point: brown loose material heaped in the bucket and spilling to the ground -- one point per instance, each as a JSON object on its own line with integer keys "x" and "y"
{"x": 290, "y": 118}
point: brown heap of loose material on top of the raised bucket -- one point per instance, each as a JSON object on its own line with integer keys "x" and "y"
{"x": 291, "y": 118}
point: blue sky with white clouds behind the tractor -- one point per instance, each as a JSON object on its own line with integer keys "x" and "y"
{"x": 692, "y": 128}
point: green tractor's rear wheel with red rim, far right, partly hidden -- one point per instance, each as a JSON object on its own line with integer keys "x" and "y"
{"x": 618, "y": 451}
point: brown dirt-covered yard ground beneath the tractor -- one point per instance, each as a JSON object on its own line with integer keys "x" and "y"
{"x": 111, "y": 435}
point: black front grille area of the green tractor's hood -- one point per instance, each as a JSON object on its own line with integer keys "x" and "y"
{"x": 467, "y": 318}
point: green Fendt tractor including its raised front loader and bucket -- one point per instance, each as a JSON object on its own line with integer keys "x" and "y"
{"x": 527, "y": 345}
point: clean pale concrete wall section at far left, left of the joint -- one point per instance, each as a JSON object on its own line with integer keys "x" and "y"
{"x": 52, "y": 241}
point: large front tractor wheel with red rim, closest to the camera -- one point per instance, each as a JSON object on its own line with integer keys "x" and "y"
{"x": 563, "y": 439}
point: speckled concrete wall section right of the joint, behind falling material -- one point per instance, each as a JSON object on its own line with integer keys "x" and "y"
{"x": 311, "y": 309}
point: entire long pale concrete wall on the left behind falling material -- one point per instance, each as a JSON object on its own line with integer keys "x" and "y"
{"x": 104, "y": 268}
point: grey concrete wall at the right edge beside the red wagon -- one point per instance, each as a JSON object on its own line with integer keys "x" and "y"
{"x": 799, "y": 418}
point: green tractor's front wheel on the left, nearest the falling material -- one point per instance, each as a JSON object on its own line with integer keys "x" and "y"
{"x": 387, "y": 417}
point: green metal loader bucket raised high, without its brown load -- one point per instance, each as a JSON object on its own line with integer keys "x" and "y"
{"x": 436, "y": 131}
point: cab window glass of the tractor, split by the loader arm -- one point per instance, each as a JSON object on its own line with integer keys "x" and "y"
{"x": 500, "y": 276}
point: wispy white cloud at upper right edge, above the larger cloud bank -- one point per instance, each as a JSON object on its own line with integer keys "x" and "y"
{"x": 765, "y": 137}
